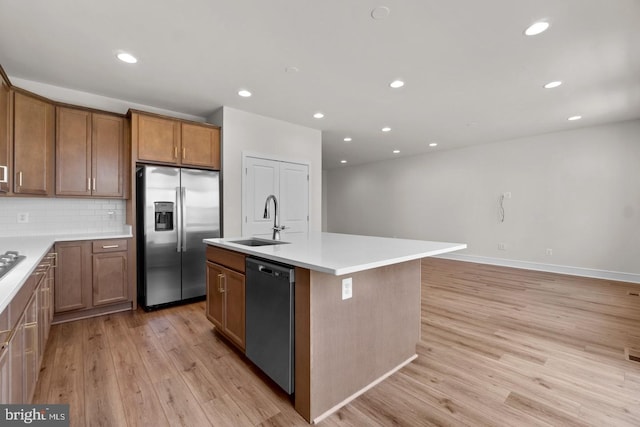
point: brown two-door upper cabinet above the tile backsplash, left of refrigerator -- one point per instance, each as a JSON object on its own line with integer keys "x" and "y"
{"x": 90, "y": 149}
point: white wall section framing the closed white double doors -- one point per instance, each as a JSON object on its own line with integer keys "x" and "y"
{"x": 251, "y": 133}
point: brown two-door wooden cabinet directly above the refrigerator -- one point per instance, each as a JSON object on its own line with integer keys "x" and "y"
{"x": 164, "y": 140}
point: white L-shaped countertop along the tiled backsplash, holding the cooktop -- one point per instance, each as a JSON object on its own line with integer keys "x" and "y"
{"x": 34, "y": 248}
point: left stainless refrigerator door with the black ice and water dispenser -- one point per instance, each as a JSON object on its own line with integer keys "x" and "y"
{"x": 162, "y": 249}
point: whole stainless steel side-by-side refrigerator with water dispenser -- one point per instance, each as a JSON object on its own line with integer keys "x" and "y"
{"x": 176, "y": 209}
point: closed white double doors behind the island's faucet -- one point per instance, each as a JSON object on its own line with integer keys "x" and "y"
{"x": 289, "y": 182}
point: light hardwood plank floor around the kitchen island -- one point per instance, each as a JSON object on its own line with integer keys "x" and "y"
{"x": 500, "y": 347}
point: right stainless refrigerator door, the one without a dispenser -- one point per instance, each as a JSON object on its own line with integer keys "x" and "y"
{"x": 201, "y": 220}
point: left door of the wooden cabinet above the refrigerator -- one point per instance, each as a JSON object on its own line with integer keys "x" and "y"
{"x": 158, "y": 139}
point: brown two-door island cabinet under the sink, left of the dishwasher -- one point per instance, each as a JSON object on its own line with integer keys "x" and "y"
{"x": 226, "y": 293}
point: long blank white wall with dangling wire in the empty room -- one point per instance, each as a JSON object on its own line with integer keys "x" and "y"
{"x": 575, "y": 192}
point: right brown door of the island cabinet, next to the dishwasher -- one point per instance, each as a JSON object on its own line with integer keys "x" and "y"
{"x": 234, "y": 289}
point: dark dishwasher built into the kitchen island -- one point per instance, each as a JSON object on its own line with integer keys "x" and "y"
{"x": 270, "y": 319}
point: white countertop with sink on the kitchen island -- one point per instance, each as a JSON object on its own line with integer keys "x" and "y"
{"x": 340, "y": 254}
